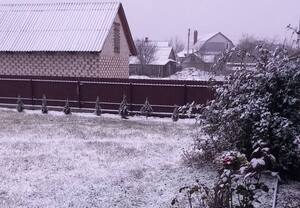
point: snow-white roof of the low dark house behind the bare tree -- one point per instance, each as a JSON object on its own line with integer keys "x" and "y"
{"x": 161, "y": 57}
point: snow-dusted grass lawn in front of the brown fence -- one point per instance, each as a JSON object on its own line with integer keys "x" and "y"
{"x": 87, "y": 161}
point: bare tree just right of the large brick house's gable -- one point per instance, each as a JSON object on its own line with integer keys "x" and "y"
{"x": 146, "y": 51}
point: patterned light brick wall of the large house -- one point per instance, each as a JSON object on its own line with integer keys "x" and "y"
{"x": 106, "y": 64}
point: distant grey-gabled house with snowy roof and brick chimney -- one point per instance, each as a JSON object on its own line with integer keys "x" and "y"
{"x": 208, "y": 48}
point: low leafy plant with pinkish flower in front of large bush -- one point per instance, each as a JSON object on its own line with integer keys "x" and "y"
{"x": 238, "y": 185}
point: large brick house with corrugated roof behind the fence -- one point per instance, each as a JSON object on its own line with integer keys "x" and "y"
{"x": 65, "y": 39}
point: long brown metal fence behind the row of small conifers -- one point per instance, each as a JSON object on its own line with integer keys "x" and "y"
{"x": 82, "y": 92}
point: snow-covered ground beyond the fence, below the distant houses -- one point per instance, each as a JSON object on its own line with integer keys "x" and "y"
{"x": 187, "y": 74}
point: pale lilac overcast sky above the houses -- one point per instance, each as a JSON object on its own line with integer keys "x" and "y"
{"x": 163, "y": 19}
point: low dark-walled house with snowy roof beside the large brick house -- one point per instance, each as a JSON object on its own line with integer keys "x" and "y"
{"x": 164, "y": 63}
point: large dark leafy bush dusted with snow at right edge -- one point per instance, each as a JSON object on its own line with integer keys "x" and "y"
{"x": 260, "y": 109}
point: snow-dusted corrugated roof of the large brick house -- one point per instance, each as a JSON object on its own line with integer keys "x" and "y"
{"x": 59, "y": 26}
